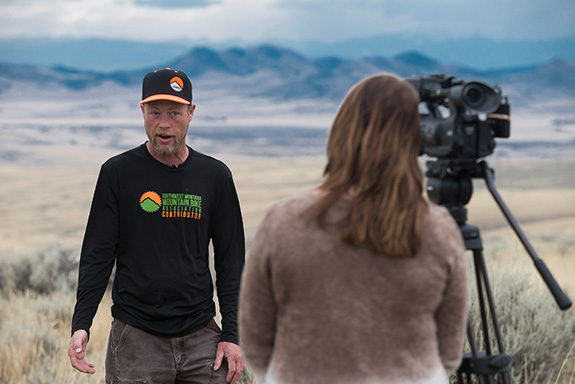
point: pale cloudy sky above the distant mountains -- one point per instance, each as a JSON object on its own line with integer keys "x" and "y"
{"x": 256, "y": 21}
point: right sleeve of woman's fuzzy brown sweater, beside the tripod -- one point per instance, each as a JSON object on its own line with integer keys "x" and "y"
{"x": 451, "y": 316}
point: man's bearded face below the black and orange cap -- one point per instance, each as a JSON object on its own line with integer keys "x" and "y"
{"x": 166, "y": 124}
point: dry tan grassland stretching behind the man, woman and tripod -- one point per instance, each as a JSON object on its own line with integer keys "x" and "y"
{"x": 48, "y": 204}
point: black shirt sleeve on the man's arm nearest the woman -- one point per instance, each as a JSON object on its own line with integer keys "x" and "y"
{"x": 229, "y": 256}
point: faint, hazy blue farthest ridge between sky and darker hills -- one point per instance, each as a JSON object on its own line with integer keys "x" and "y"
{"x": 113, "y": 54}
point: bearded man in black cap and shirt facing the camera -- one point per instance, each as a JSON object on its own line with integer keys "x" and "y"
{"x": 155, "y": 209}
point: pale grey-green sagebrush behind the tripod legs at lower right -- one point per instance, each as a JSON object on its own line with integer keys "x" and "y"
{"x": 538, "y": 335}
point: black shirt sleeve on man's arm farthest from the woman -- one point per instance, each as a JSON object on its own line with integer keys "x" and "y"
{"x": 98, "y": 252}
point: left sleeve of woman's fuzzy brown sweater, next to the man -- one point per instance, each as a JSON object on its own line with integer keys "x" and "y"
{"x": 258, "y": 308}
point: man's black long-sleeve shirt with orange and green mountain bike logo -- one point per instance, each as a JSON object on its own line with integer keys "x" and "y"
{"x": 155, "y": 223}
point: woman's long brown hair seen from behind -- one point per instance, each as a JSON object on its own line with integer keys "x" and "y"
{"x": 372, "y": 153}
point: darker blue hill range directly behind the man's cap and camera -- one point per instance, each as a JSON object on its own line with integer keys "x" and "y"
{"x": 275, "y": 72}
